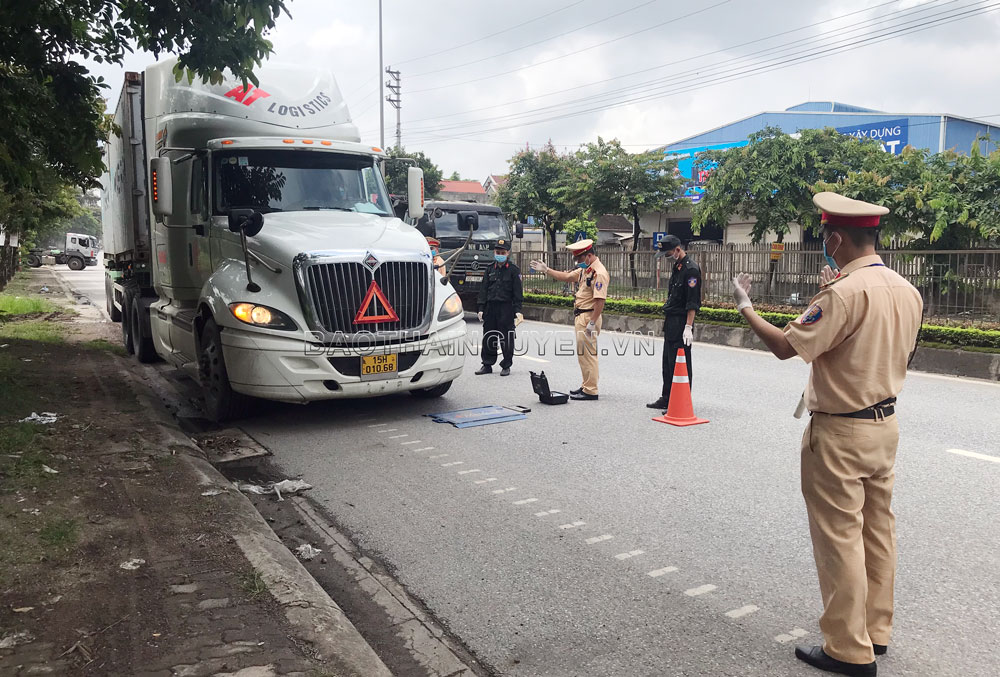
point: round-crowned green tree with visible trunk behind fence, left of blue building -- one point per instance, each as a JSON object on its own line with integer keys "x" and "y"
{"x": 607, "y": 179}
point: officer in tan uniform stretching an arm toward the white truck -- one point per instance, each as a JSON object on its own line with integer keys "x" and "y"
{"x": 591, "y": 278}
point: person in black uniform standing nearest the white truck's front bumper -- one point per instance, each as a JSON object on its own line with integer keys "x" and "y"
{"x": 500, "y": 300}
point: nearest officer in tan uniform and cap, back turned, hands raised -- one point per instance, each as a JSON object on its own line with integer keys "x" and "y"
{"x": 857, "y": 334}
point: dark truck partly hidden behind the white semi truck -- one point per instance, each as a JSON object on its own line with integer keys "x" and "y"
{"x": 440, "y": 221}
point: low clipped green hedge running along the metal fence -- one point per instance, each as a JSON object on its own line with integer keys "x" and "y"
{"x": 957, "y": 337}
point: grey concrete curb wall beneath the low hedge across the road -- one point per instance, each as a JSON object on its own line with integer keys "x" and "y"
{"x": 933, "y": 360}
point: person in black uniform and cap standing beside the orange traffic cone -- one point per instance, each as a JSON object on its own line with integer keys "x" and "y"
{"x": 683, "y": 302}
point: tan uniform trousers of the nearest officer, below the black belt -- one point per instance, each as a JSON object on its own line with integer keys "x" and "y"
{"x": 847, "y": 479}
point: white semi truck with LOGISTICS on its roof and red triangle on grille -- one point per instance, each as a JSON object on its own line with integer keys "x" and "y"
{"x": 249, "y": 232}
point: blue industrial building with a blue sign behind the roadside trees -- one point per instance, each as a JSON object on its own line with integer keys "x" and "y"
{"x": 936, "y": 133}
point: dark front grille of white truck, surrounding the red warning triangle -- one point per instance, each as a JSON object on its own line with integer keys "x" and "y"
{"x": 337, "y": 290}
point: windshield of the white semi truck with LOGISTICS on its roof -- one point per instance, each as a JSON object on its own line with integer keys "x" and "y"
{"x": 298, "y": 180}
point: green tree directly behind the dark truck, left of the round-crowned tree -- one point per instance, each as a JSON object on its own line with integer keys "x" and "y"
{"x": 529, "y": 190}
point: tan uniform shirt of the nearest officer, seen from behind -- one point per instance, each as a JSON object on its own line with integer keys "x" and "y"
{"x": 857, "y": 333}
